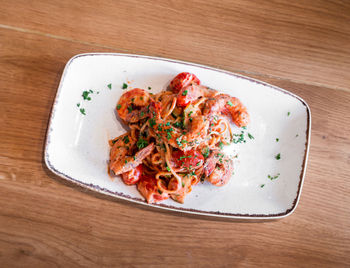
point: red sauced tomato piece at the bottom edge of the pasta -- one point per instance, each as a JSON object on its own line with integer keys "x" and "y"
{"x": 147, "y": 186}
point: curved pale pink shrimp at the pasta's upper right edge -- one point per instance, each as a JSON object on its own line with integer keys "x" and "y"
{"x": 227, "y": 105}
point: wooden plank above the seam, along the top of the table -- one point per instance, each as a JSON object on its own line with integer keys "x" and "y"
{"x": 306, "y": 41}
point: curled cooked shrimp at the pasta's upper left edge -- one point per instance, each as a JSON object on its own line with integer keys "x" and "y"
{"x": 132, "y": 105}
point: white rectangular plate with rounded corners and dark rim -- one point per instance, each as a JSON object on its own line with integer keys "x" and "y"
{"x": 77, "y": 145}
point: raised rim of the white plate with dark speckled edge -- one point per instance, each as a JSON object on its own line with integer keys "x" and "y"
{"x": 97, "y": 188}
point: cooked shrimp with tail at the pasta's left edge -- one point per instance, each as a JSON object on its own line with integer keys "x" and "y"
{"x": 121, "y": 160}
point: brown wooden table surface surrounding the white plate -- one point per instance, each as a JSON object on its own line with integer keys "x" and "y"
{"x": 302, "y": 46}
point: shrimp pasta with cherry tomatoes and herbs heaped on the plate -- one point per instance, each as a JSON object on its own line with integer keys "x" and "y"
{"x": 175, "y": 139}
